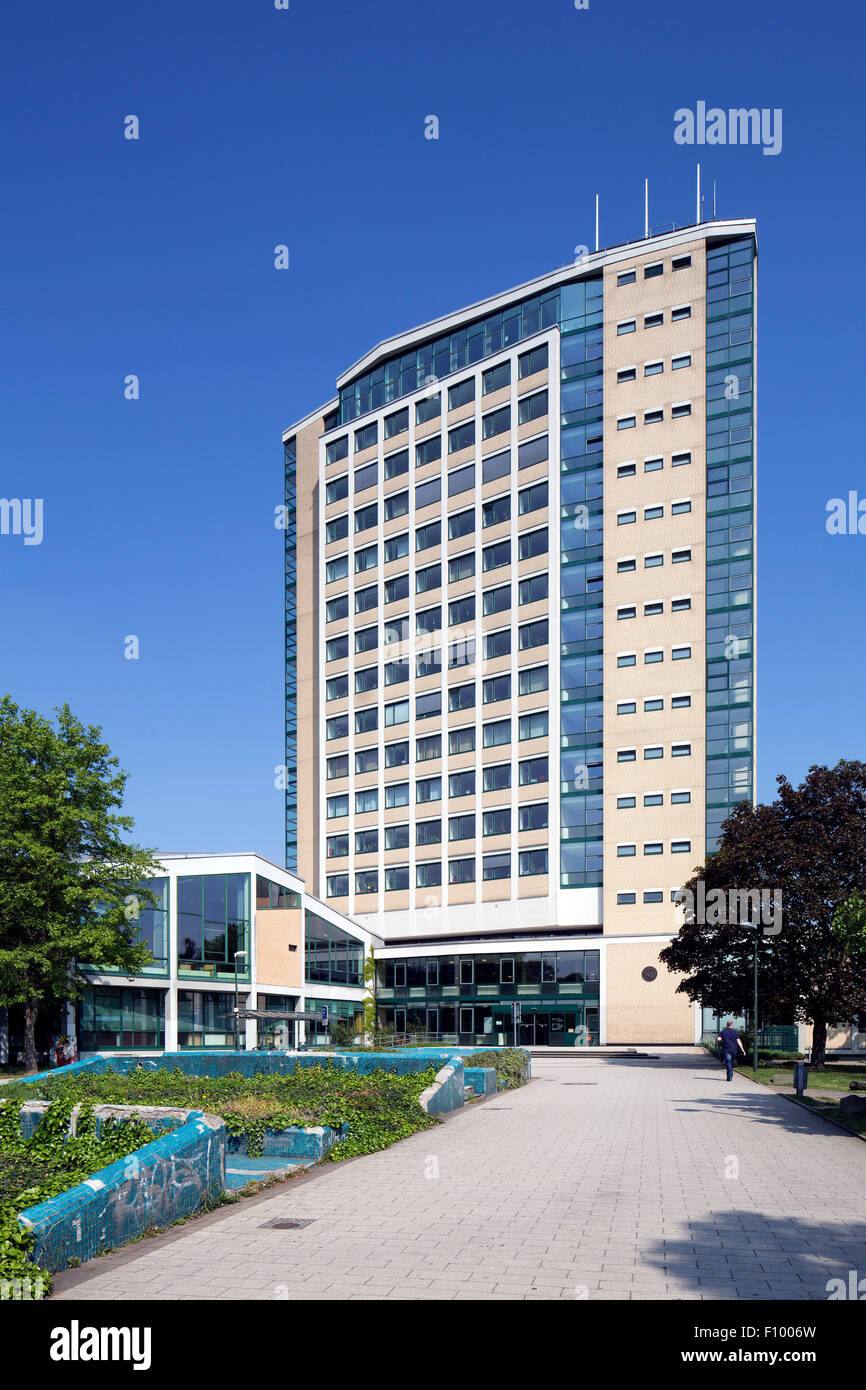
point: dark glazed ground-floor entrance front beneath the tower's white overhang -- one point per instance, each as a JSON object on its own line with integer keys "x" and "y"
{"x": 469, "y": 999}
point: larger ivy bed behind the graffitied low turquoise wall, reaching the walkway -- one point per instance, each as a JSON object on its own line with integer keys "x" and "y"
{"x": 379, "y": 1109}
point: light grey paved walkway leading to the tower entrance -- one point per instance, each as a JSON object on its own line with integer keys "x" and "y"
{"x": 603, "y": 1179}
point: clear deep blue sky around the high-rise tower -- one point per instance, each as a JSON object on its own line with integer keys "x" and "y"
{"x": 307, "y": 127}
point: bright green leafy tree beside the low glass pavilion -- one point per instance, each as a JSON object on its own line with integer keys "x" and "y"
{"x": 70, "y": 885}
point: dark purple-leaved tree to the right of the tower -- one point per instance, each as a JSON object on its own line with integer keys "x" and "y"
{"x": 811, "y": 846}
